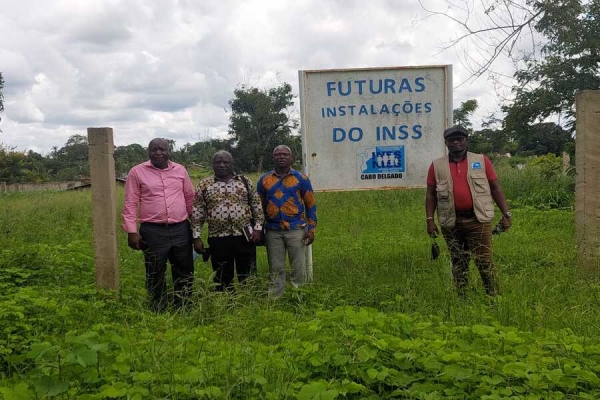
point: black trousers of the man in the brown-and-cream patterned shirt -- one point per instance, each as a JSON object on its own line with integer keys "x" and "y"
{"x": 231, "y": 252}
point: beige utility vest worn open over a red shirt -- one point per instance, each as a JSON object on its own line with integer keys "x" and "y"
{"x": 483, "y": 204}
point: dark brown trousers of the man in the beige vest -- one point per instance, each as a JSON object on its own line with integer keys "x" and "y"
{"x": 469, "y": 237}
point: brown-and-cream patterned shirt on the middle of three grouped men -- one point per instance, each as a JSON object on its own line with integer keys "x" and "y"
{"x": 224, "y": 206}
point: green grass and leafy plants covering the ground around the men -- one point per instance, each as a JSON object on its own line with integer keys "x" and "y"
{"x": 380, "y": 321}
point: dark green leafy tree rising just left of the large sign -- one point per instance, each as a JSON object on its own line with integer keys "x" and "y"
{"x": 259, "y": 121}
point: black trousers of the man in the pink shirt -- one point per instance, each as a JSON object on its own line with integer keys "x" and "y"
{"x": 173, "y": 243}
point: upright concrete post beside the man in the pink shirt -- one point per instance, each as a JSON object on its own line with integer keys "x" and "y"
{"x": 104, "y": 207}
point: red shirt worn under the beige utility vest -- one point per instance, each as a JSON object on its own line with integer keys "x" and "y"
{"x": 463, "y": 200}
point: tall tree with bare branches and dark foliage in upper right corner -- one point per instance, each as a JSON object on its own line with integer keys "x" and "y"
{"x": 564, "y": 55}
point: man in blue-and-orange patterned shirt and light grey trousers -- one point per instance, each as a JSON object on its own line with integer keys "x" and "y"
{"x": 291, "y": 217}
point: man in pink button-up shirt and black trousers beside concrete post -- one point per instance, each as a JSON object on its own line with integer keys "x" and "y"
{"x": 159, "y": 194}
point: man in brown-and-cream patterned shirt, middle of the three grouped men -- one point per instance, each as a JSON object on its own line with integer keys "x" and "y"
{"x": 229, "y": 204}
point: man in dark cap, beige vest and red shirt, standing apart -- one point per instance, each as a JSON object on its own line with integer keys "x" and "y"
{"x": 463, "y": 187}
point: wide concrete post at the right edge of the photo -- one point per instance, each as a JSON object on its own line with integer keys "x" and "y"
{"x": 587, "y": 191}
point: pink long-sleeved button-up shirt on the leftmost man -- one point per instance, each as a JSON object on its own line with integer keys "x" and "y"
{"x": 163, "y": 195}
